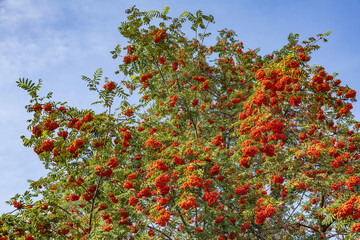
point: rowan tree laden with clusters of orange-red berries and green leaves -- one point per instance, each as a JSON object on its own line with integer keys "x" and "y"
{"x": 222, "y": 144}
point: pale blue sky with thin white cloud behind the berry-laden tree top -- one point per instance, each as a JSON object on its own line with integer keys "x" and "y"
{"x": 59, "y": 41}
